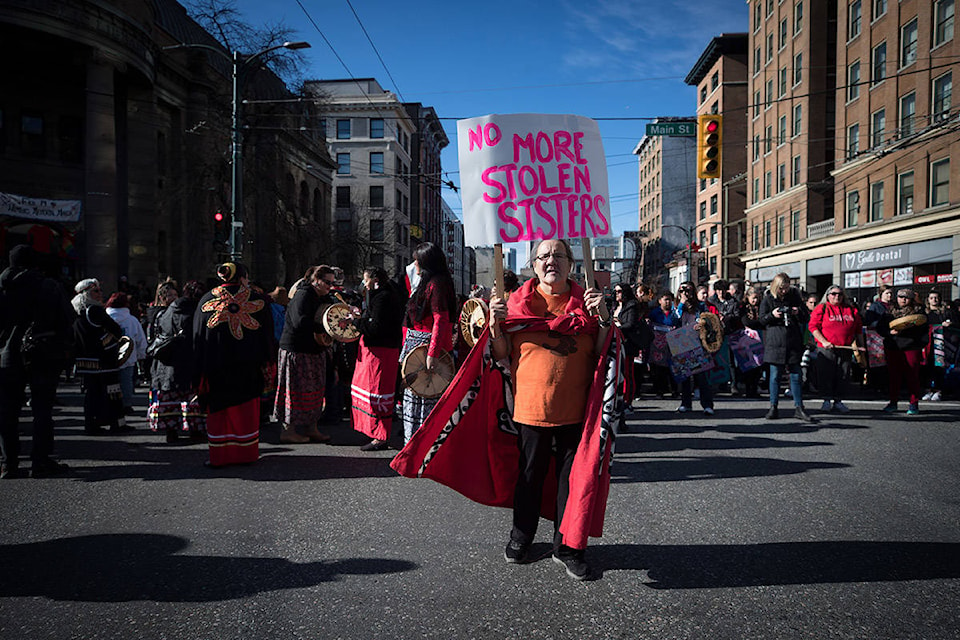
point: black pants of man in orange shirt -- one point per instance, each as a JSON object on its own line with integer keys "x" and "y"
{"x": 538, "y": 445}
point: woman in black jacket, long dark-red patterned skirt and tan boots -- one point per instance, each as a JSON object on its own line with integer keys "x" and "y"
{"x": 302, "y": 362}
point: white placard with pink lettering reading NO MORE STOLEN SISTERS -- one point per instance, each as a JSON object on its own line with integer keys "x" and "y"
{"x": 532, "y": 177}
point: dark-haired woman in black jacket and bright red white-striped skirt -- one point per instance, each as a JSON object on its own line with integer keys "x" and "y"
{"x": 375, "y": 375}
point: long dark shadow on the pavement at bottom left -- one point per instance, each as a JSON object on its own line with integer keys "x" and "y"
{"x": 135, "y": 567}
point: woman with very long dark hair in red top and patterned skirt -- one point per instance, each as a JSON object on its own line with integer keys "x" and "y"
{"x": 430, "y": 317}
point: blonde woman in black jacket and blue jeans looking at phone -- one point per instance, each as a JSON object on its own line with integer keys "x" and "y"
{"x": 784, "y": 317}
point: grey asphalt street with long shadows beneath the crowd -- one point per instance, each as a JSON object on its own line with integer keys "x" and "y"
{"x": 724, "y": 527}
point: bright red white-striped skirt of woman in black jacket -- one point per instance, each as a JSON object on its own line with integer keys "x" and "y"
{"x": 373, "y": 388}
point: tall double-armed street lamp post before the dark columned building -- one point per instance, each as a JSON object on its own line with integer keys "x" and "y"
{"x": 240, "y": 66}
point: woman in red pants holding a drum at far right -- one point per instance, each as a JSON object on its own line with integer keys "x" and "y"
{"x": 904, "y": 331}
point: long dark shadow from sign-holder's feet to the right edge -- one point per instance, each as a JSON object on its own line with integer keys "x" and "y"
{"x": 784, "y": 563}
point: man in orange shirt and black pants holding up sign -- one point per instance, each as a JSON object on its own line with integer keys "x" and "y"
{"x": 552, "y": 363}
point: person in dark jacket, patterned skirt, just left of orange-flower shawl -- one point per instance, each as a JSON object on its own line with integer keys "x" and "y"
{"x": 173, "y": 396}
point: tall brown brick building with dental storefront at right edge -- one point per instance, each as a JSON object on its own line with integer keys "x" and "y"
{"x": 853, "y": 135}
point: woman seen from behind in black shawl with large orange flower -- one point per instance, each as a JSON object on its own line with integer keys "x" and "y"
{"x": 232, "y": 338}
